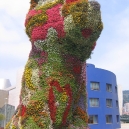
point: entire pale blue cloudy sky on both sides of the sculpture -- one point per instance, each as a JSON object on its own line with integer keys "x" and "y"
{"x": 111, "y": 52}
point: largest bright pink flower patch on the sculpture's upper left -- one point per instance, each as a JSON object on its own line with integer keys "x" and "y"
{"x": 54, "y": 20}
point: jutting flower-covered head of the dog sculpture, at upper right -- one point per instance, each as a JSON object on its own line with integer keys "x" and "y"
{"x": 83, "y": 26}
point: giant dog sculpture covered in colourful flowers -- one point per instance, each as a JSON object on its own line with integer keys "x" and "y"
{"x": 63, "y": 34}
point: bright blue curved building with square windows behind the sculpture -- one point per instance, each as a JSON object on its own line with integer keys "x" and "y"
{"x": 103, "y": 105}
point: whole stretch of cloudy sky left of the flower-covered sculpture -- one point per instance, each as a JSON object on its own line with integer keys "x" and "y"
{"x": 13, "y": 43}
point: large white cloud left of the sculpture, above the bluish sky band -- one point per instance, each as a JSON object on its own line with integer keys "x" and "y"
{"x": 12, "y": 36}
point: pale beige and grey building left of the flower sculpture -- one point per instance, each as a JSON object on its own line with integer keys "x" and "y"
{"x": 9, "y": 97}
